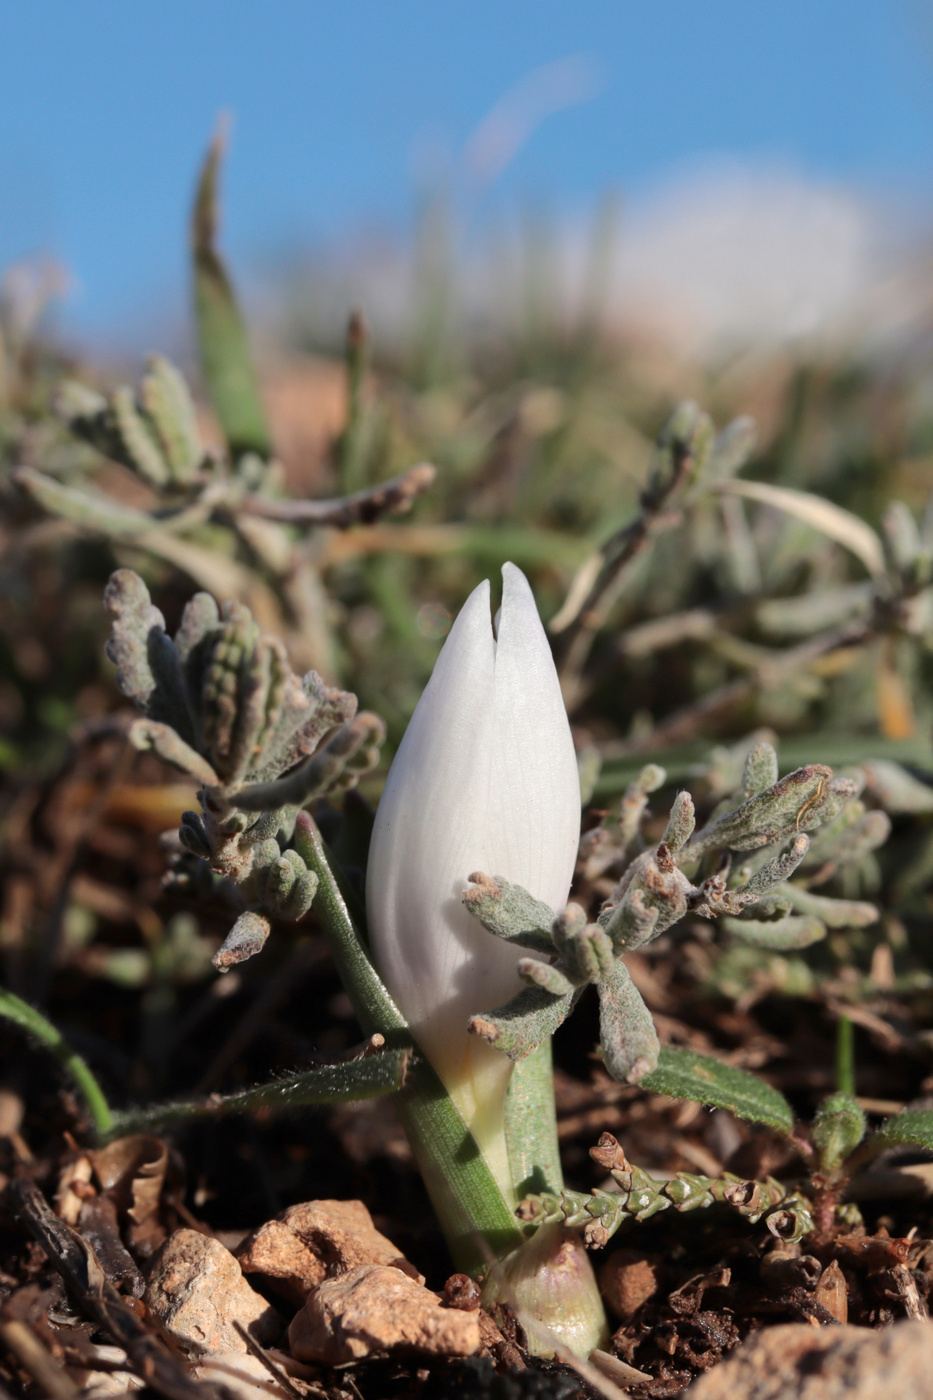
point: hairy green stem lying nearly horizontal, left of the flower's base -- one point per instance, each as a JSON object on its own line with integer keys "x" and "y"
{"x": 329, "y": 1084}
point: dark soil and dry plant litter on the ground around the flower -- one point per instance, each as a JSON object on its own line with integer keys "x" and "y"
{"x": 690, "y": 1293}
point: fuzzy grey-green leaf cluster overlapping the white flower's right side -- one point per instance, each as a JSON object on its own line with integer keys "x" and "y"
{"x": 687, "y": 873}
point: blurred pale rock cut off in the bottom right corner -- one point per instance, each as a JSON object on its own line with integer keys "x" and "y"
{"x": 802, "y": 1363}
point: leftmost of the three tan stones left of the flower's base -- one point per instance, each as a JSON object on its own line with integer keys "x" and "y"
{"x": 198, "y": 1293}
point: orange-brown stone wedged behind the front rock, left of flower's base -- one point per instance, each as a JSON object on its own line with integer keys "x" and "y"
{"x": 316, "y": 1241}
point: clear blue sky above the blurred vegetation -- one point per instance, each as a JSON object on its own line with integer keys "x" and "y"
{"x": 338, "y": 106}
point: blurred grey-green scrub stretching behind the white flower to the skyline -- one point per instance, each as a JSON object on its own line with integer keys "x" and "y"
{"x": 761, "y": 563}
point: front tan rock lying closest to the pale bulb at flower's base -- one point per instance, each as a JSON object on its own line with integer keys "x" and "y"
{"x": 378, "y": 1310}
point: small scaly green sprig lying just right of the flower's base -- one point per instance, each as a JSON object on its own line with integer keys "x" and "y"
{"x": 640, "y": 1196}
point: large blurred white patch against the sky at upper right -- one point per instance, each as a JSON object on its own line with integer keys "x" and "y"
{"x": 733, "y": 254}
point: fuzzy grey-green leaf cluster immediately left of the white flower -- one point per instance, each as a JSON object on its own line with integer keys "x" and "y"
{"x": 222, "y": 705}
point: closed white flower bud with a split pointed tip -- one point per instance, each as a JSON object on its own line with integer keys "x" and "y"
{"x": 485, "y": 780}
